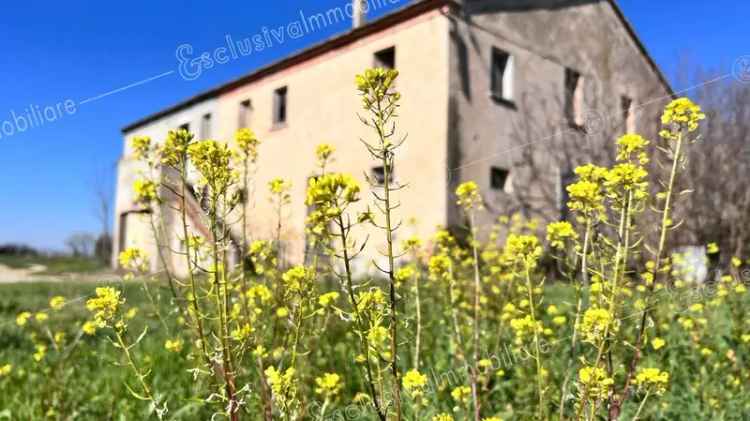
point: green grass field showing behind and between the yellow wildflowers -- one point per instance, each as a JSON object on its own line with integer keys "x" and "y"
{"x": 91, "y": 382}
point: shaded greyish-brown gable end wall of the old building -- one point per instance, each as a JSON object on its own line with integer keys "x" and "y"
{"x": 544, "y": 37}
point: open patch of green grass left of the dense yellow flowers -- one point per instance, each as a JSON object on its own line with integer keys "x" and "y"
{"x": 84, "y": 382}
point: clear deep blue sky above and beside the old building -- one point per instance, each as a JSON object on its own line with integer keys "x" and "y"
{"x": 78, "y": 50}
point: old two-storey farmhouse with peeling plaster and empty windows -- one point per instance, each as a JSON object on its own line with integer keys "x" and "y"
{"x": 510, "y": 94}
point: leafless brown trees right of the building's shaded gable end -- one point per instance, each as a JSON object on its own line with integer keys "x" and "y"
{"x": 719, "y": 165}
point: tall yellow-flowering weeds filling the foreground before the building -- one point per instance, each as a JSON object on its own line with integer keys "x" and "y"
{"x": 462, "y": 328}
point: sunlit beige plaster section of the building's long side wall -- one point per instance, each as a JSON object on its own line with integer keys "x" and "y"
{"x": 322, "y": 107}
